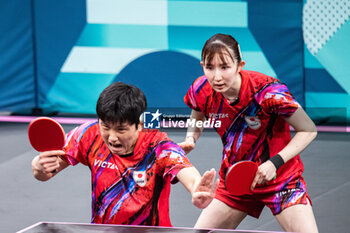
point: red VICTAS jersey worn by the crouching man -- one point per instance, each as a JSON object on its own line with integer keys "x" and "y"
{"x": 131, "y": 190}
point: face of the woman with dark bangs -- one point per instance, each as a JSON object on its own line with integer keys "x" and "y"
{"x": 223, "y": 74}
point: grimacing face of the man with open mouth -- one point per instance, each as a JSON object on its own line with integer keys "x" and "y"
{"x": 120, "y": 138}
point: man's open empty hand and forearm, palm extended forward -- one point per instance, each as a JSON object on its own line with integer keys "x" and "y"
{"x": 202, "y": 188}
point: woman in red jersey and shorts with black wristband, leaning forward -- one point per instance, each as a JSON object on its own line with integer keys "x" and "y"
{"x": 255, "y": 111}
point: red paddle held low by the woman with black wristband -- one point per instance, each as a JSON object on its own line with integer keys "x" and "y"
{"x": 240, "y": 176}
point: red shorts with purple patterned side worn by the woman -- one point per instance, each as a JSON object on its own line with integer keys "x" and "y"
{"x": 291, "y": 193}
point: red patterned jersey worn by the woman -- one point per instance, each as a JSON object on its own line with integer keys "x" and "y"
{"x": 253, "y": 128}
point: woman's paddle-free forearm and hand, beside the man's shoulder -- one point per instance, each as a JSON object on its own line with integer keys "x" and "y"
{"x": 193, "y": 133}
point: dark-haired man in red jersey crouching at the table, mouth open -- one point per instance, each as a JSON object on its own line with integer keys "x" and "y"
{"x": 131, "y": 168}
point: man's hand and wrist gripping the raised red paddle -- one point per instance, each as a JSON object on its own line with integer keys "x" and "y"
{"x": 47, "y": 164}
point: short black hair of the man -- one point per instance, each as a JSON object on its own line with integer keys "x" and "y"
{"x": 120, "y": 103}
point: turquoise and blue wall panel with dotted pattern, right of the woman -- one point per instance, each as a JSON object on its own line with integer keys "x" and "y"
{"x": 326, "y": 28}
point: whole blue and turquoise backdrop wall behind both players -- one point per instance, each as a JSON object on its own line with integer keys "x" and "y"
{"x": 59, "y": 55}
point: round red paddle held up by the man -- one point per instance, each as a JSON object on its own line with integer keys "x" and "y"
{"x": 46, "y": 134}
